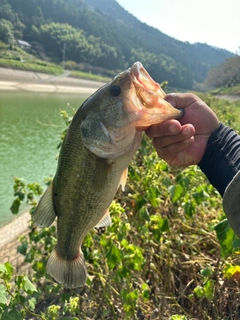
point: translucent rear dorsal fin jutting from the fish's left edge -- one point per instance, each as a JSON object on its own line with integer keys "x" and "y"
{"x": 45, "y": 214}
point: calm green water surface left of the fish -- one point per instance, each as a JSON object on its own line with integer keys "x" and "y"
{"x": 30, "y": 129}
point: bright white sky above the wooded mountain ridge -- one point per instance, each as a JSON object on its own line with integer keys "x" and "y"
{"x": 215, "y": 22}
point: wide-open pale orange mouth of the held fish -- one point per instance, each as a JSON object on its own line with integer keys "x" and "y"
{"x": 149, "y": 95}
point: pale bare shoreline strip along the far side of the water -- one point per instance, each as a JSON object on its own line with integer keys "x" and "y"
{"x": 19, "y": 80}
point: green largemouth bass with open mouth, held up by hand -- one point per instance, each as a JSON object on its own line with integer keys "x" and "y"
{"x": 93, "y": 162}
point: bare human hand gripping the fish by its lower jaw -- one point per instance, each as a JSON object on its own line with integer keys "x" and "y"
{"x": 183, "y": 142}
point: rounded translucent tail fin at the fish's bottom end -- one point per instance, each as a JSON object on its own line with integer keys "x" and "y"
{"x": 71, "y": 272}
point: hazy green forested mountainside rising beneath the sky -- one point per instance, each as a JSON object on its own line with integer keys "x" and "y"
{"x": 102, "y": 34}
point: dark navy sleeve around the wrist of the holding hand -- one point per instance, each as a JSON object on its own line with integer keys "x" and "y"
{"x": 221, "y": 160}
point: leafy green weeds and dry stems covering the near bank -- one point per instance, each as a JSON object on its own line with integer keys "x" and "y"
{"x": 169, "y": 254}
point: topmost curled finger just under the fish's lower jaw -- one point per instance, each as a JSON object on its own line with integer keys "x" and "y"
{"x": 168, "y": 127}
